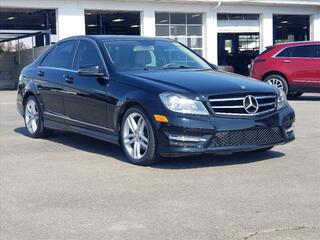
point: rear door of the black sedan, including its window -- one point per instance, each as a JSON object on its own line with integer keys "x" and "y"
{"x": 49, "y": 78}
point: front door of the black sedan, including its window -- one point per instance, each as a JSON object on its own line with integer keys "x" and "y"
{"x": 84, "y": 97}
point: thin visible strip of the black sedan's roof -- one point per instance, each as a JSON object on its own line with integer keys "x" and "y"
{"x": 114, "y": 37}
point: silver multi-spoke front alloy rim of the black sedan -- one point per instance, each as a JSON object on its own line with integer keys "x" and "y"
{"x": 136, "y": 136}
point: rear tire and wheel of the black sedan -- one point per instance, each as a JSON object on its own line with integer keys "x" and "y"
{"x": 33, "y": 119}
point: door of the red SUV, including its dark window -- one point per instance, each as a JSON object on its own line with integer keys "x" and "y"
{"x": 303, "y": 69}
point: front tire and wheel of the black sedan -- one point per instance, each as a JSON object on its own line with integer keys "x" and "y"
{"x": 138, "y": 143}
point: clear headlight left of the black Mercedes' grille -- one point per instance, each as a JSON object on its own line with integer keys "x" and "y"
{"x": 182, "y": 104}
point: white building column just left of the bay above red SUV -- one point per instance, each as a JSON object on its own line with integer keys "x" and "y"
{"x": 266, "y": 30}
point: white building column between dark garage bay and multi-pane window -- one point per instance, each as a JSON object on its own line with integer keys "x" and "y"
{"x": 148, "y": 23}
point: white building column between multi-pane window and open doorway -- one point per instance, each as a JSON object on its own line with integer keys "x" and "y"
{"x": 211, "y": 36}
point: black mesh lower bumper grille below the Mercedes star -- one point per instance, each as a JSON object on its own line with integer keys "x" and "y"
{"x": 248, "y": 137}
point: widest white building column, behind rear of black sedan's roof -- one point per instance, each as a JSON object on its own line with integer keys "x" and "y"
{"x": 70, "y": 22}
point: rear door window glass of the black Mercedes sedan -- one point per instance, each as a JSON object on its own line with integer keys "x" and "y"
{"x": 62, "y": 55}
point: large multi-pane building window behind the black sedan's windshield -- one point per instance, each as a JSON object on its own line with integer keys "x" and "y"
{"x": 187, "y": 28}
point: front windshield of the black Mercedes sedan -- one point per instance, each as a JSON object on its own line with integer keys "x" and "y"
{"x": 130, "y": 55}
